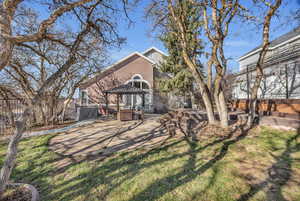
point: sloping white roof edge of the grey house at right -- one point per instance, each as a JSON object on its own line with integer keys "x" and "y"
{"x": 294, "y": 34}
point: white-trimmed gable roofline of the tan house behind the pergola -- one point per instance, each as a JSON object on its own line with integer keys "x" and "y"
{"x": 119, "y": 64}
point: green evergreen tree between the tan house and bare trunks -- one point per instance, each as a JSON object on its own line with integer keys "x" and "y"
{"x": 181, "y": 80}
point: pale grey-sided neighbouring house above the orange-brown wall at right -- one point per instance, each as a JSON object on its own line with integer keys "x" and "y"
{"x": 281, "y": 70}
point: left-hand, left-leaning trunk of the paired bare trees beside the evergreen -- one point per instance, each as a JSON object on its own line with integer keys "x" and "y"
{"x": 173, "y": 12}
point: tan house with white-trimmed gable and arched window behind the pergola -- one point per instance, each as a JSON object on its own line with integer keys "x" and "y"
{"x": 137, "y": 69}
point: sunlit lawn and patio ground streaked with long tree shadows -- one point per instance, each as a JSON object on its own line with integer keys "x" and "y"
{"x": 136, "y": 162}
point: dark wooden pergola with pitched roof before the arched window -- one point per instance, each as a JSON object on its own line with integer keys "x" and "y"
{"x": 125, "y": 89}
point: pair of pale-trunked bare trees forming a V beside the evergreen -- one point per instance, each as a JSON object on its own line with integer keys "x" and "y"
{"x": 215, "y": 17}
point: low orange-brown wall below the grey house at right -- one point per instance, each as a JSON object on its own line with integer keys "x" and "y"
{"x": 276, "y": 107}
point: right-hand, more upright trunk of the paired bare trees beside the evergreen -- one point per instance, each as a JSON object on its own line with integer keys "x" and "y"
{"x": 218, "y": 16}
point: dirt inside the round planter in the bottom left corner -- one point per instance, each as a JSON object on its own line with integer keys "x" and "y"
{"x": 17, "y": 194}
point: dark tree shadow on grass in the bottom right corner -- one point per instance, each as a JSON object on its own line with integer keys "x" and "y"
{"x": 278, "y": 174}
